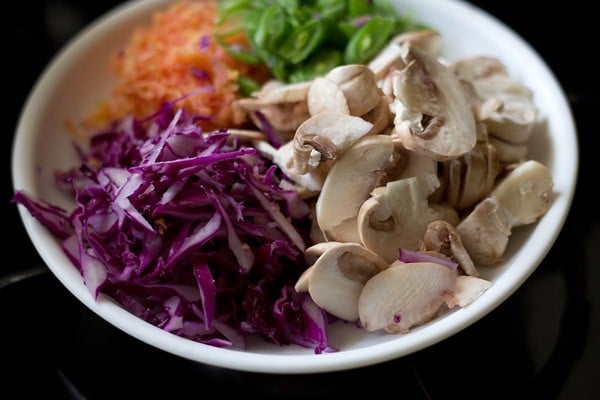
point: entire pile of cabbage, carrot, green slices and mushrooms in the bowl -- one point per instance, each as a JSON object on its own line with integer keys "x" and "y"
{"x": 282, "y": 166}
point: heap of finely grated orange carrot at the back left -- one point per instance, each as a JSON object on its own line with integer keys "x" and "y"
{"x": 176, "y": 57}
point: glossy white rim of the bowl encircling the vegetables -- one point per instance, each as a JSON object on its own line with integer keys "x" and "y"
{"x": 548, "y": 229}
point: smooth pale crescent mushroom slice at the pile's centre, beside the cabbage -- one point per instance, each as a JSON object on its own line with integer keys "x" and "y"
{"x": 350, "y": 180}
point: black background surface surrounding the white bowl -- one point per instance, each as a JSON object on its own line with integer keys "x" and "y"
{"x": 542, "y": 343}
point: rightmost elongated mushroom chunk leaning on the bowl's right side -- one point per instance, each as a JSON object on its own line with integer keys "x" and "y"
{"x": 520, "y": 198}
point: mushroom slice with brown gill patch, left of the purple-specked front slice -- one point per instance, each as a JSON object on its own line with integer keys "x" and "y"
{"x": 337, "y": 277}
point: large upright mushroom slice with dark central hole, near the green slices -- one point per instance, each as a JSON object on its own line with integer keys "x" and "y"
{"x": 433, "y": 113}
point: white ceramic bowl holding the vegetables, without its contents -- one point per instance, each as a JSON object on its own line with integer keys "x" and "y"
{"x": 78, "y": 77}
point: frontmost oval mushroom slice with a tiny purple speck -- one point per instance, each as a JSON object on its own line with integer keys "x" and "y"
{"x": 404, "y": 295}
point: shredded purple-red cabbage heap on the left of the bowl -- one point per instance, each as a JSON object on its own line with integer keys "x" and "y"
{"x": 190, "y": 231}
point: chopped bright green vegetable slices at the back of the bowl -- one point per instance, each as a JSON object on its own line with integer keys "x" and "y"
{"x": 300, "y": 40}
